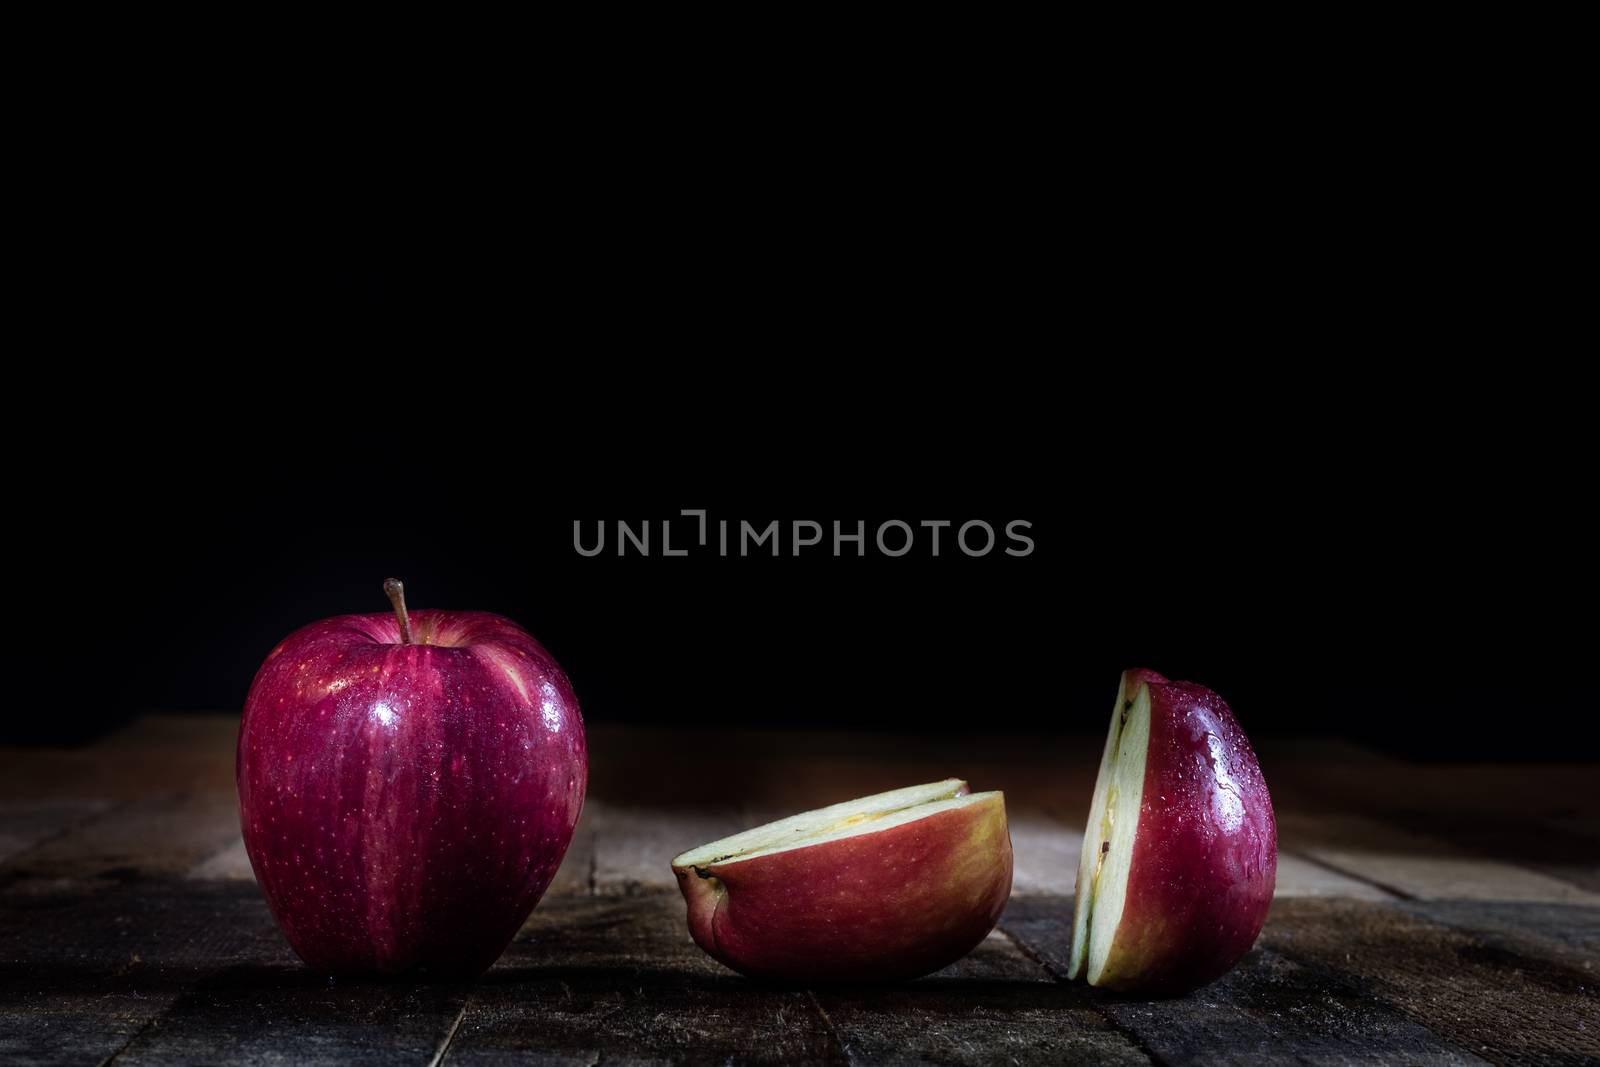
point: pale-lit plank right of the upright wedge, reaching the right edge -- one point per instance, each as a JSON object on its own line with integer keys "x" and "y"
{"x": 1415, "y": 865}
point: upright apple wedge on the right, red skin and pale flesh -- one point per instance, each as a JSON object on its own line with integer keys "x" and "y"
{"x": 1182, "y": 849}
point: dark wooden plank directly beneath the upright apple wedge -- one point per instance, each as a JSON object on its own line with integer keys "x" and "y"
{"x": 1268, "y": 1010}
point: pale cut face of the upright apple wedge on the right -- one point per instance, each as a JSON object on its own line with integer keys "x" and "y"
{"x": 1108, "y": 839}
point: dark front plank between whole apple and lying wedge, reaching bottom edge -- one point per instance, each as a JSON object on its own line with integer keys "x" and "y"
{"x": 618, "y": 980}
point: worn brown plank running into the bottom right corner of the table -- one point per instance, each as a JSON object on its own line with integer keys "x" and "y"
{"x": 1503, "y": 1004}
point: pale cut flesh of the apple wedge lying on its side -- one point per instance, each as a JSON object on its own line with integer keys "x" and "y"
{"x": 868, "y": 815}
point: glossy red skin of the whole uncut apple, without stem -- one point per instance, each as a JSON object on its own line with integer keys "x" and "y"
{"x": 407, "y": 805}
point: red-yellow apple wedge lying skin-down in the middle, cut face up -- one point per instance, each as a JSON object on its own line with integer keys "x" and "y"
{"x": 876, "y": 890}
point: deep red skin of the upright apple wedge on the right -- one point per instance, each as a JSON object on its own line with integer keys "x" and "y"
{"x": 1206, "y": 855}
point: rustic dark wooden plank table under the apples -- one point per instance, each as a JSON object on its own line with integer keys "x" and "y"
{"x": 1425, "y": 914}
